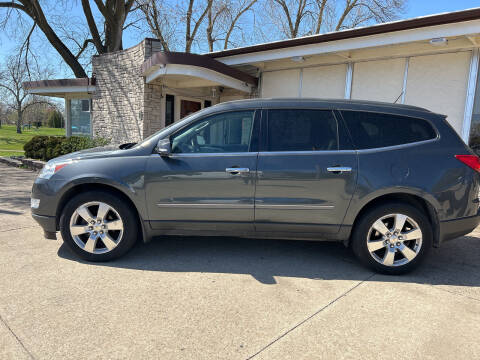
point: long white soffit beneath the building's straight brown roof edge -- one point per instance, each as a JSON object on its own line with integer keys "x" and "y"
{"x": 397, "y": 37}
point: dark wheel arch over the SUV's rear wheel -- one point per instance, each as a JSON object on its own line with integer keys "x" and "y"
{"x": 414, "y": 200}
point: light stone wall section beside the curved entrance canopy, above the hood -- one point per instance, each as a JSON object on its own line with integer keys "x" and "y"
{"x": 125, "y": 109}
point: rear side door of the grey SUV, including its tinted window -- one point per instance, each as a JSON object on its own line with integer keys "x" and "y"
{"x": 305, "y": 183}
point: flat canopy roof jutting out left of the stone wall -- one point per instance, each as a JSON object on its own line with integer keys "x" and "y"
{"x": 61, "y": 87}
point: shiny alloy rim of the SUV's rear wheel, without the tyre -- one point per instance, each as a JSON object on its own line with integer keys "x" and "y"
{"x": 394, "y": 240}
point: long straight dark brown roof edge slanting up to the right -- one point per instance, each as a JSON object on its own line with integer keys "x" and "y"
{"x": 409, "y": 24}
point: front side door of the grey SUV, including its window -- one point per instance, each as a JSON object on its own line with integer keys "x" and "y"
{"x": 208, "y": 181}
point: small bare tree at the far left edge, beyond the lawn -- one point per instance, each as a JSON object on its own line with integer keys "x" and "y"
{"x": 12, "y": 92}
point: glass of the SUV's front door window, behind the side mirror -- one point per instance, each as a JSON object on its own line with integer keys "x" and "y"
{"x": 222, "y": 133}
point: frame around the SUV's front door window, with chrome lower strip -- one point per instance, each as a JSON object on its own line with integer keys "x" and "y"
{"x": 255, "y": 127}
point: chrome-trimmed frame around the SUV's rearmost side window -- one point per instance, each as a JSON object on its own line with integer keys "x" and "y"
{"x": 390, "y": 147}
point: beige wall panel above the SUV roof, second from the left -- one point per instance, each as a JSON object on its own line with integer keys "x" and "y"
{"x": 324, "y": 82}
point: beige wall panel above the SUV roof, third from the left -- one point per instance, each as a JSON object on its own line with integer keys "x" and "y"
{"x": 378, "y": 80}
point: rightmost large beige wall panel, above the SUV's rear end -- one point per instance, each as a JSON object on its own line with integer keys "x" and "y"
{"x": 439, "y": 83}
